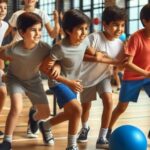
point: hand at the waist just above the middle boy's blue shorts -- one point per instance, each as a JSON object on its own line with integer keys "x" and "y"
{"x": 76, "y": 86}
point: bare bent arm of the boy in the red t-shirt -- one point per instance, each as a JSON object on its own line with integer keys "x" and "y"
{"x": 130, "y": 65}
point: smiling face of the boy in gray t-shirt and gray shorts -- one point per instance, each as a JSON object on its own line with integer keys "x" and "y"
{"x": 32, "y": 35}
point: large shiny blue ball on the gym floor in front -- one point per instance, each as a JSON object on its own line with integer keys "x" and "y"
{"x": 127, "y": 137}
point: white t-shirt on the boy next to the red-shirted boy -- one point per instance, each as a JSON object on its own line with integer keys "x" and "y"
{"x": 92, "y": 73}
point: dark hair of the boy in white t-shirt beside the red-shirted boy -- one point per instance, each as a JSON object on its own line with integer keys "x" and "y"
{"x": 113, "y": 13}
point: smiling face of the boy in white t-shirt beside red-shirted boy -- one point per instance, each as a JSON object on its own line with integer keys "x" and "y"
{"x": 114, "y": 29}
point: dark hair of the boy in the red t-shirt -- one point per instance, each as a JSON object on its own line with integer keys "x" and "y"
{"x": 145, "y": 13}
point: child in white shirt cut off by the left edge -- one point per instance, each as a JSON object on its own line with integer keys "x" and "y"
{"x": 3, "y": 28}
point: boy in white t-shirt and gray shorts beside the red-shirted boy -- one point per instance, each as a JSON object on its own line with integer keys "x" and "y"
{"x": 96, "y": 78}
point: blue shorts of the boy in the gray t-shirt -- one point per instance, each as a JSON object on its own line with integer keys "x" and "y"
{"x": 63, "y": 94}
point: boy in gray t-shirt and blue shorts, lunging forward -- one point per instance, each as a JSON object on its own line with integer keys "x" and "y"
{"x": 69, "y": 53}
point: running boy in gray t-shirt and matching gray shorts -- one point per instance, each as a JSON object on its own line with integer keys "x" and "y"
{"x": 23, "y": 75}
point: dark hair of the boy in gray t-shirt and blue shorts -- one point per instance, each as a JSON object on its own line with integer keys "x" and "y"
{"x": 73, "y": 18}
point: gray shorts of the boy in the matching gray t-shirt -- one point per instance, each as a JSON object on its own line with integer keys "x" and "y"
{"x": 32, "y": 88}
